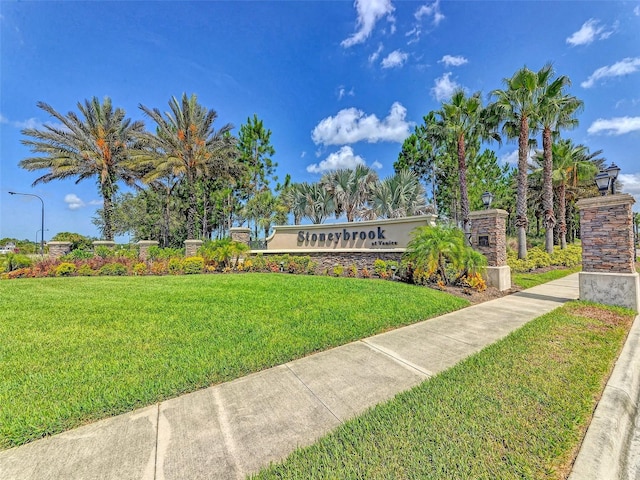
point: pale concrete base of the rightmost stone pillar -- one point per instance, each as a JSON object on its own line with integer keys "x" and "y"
{"x": 617, "y": 289}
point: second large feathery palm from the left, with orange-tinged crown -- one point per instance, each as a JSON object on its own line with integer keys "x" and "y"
{"x": 186, "y": 142}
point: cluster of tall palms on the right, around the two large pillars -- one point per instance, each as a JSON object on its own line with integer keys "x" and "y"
{"x": 530, "y": 103}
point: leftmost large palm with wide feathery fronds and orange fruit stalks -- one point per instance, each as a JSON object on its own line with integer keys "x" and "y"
{"x": 94, "y": 145}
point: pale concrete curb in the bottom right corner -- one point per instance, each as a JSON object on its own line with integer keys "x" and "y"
{"x": 604, "y": 451}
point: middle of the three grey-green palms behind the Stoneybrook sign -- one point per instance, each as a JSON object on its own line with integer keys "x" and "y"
{"x": 350, "y": 188}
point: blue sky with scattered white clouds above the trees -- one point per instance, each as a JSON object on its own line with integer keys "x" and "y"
{"x": 337, "y": 82}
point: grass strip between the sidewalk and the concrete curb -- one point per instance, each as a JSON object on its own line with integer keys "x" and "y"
{"x": 516, "y": 410}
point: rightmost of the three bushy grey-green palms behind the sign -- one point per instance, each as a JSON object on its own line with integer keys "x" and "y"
{"x": 400, "y": 195}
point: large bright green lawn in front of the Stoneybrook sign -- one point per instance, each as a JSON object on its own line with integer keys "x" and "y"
{"x": 74, "y": 350}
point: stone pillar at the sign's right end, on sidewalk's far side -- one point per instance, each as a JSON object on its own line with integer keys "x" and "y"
{"x": 489, "y": 237}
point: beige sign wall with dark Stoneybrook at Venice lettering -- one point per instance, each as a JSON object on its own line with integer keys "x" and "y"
{"x": 392, "y": 234}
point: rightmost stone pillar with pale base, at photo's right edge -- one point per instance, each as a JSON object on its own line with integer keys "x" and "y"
{"x": 608, "y": 256}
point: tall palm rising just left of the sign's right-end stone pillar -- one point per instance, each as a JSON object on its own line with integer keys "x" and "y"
{"x": 465, "y": 121}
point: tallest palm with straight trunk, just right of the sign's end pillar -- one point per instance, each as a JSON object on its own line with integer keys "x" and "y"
{"x": 517, "y": 106}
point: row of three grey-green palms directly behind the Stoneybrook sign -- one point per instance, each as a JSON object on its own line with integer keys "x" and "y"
{"x": 357, "y": 194}
